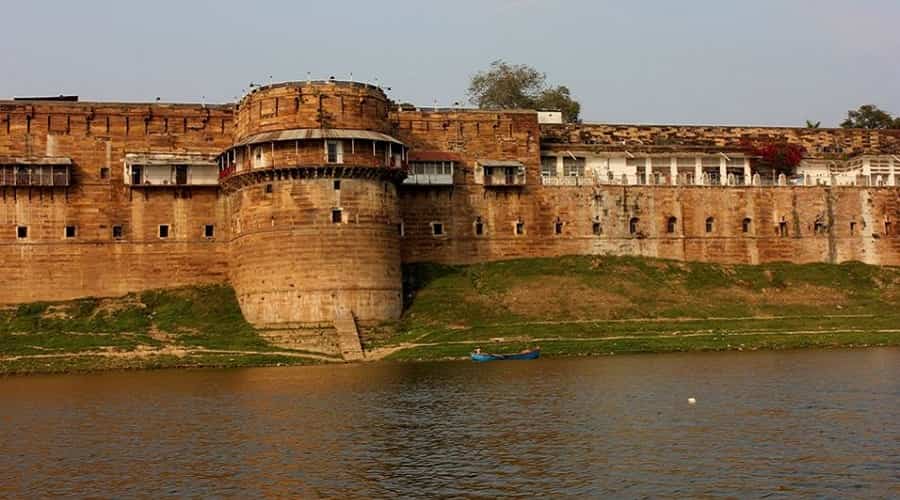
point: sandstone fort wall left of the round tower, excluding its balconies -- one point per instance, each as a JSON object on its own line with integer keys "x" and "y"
{"x": 47, "y": 265}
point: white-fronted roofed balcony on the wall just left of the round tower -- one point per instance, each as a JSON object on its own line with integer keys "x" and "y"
{"x": 170, "y": 170}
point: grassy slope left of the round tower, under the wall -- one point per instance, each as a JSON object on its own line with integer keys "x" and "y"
{"x": 188, "y": 327}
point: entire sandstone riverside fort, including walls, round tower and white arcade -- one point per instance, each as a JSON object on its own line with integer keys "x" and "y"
{"x": 307, "y": 197}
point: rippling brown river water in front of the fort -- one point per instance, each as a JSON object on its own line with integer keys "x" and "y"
{"x": 764, "y": 424}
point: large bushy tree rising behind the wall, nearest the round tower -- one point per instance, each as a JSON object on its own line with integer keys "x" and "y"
{"x": 518, "y": 86}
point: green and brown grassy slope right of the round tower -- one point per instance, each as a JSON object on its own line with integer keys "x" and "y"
{"x": 606, "y": 305}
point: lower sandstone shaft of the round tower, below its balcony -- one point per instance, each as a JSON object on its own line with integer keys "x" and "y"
{"x": 290, "y": 262}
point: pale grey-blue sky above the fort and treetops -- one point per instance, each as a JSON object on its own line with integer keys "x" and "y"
{"x": 753, "y": 62}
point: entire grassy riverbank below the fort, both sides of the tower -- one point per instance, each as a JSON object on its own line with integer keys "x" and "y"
{"x": 570, "y": 306}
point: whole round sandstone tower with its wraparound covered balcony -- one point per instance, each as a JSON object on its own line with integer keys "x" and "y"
{"x": 311, "y": 191}
